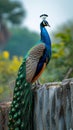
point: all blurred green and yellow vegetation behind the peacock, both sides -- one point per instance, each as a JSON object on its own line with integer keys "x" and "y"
{"x": 16, "y": 41}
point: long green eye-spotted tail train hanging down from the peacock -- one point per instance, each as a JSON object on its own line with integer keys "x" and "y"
{"x": 20, "y": 115}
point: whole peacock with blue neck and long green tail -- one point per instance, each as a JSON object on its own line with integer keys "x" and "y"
{"x": 33, "y": 64}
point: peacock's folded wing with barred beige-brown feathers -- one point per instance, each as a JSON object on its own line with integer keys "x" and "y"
{"x": 32, "y": 60}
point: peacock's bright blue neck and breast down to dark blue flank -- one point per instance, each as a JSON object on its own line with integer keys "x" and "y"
{"x": 45, "y": 38}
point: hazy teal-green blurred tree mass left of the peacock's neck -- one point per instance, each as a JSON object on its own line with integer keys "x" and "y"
{"x": 21, "y": 41}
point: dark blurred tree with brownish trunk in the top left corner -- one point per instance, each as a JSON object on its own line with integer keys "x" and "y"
{"x": 11, "y": 12}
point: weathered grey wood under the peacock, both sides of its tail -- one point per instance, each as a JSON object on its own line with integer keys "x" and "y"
{"x": 53, "y": 107}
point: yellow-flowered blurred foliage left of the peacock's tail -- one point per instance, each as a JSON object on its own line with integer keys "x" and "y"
{"x": 8, "y": 72}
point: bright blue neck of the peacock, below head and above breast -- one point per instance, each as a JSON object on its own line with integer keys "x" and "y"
{"x": 45, "y": 37}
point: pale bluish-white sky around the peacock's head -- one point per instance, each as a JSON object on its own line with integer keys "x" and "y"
{"x": 59, "y": 11}
